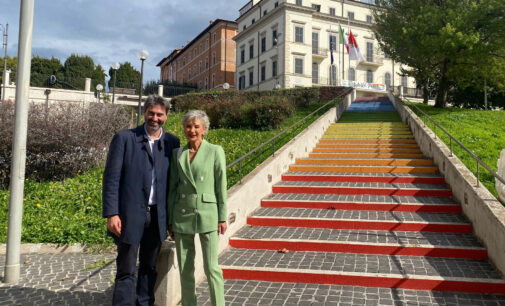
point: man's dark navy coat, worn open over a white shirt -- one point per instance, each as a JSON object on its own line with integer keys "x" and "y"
{"x": 127, "y": 181}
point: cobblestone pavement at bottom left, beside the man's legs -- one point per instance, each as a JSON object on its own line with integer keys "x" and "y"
{"x": 61, "y": 279}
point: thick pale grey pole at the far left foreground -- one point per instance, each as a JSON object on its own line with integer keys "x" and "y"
{"x": 12, "y": 266}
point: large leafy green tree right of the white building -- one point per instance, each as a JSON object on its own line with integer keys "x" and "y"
{"x": 448, "y": 41}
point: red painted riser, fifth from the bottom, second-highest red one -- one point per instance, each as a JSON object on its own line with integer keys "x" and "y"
{"x": 357, "y": 190}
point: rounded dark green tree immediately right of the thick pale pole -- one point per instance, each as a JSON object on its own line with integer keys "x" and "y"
{"x": 42, "y": 69}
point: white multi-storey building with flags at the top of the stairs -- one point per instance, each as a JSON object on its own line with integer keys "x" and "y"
{"x": 287, "y": 42}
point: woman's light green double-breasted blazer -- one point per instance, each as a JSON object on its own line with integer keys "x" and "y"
{"x": 197, "y": 190}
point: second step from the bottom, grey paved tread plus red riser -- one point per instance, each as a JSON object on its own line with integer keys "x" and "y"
{"x": 360, "y": 241}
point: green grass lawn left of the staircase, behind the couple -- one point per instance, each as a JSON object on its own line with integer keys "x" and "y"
{"x": 70, "y": 211}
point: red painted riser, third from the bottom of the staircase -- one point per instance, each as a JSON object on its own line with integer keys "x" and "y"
{"x": 360, "y": 224}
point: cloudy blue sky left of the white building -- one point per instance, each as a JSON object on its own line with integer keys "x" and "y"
{"x": 115, "y": 30}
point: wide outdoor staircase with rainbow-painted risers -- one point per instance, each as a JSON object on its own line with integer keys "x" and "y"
{"x": 364, "y": 219}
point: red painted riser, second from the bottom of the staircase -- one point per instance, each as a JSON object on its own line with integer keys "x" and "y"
{"x": 360, "y": 248}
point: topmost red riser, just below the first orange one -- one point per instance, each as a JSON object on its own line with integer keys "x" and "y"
{"x": 363, "y": 179}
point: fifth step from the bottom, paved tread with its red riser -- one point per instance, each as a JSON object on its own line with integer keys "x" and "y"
{"x": 398, "y": 189}
